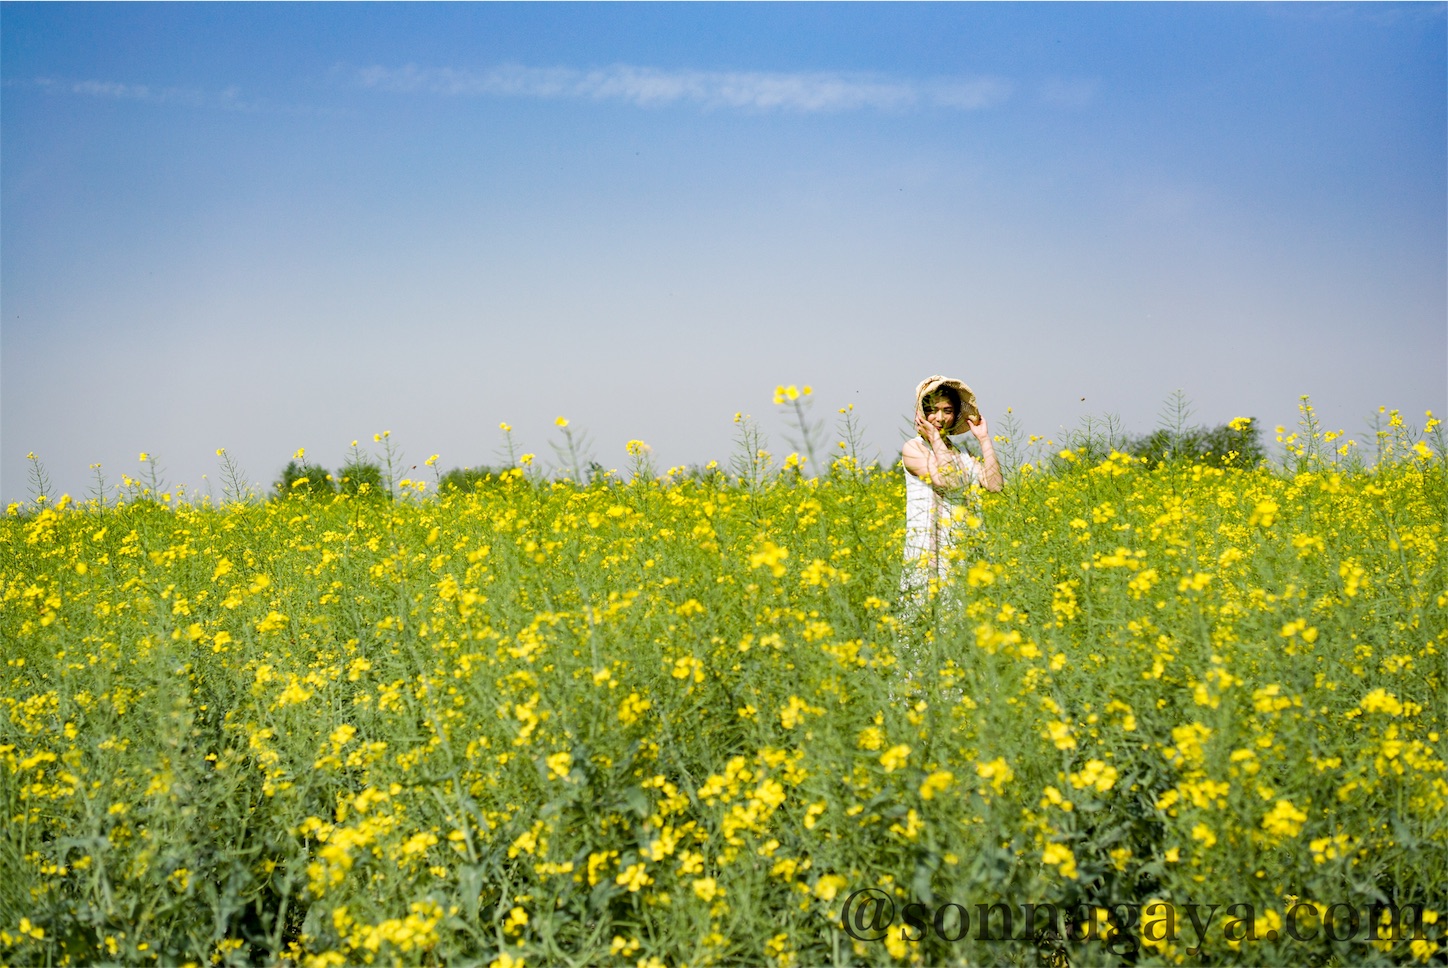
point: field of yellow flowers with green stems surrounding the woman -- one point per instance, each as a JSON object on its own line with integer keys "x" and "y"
{"x": 683, "y": 720}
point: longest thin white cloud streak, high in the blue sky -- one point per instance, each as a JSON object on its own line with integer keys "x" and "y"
{"x": 816, "y": 92}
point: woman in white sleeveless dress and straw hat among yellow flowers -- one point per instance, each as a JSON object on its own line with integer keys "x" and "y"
{"x": 939, "y": 475}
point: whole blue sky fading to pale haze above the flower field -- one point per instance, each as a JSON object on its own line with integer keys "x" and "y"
{"x": 280, "y": 226}
